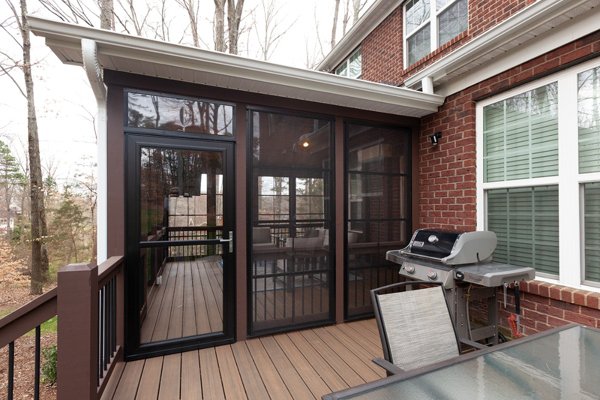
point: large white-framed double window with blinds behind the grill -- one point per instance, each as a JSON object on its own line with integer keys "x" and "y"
{"x": 538, "y": 178}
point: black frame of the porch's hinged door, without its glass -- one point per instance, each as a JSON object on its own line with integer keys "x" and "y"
{"x": 133, "y": 284}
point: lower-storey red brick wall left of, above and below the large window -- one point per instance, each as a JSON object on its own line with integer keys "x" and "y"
{"x": 447, "y": 181}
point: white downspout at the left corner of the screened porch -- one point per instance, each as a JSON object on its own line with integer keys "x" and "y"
{"x": 94, "y": 74}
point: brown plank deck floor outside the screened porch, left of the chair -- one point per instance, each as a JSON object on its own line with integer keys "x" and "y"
{"x": 298, "y": 365}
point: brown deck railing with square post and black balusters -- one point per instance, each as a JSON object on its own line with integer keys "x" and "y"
{"x": 89, "y": 304}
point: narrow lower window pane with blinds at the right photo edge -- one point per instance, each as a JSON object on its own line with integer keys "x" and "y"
{"x": 592, "y": 231}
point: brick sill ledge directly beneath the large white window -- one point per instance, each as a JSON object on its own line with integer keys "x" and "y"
{"x": 578, "y": 297}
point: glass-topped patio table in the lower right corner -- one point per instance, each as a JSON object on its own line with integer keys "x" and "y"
{"x": 561, "y": 363}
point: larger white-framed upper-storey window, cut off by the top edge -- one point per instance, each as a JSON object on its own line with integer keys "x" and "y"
{"x": 430, "y": 24}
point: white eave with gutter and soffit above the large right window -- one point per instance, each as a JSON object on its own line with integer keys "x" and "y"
{"x": 541, "y": 27}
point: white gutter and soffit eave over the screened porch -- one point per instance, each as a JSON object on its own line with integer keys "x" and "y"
{"x": 148, "y": 57}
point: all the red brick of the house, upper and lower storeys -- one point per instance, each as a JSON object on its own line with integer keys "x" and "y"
{"x": 446, "y": 172}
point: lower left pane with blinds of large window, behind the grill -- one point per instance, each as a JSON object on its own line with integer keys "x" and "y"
{"x": 525, "y": 221}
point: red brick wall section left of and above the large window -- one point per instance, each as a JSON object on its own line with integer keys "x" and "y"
{"x": 446, "y": 172}
